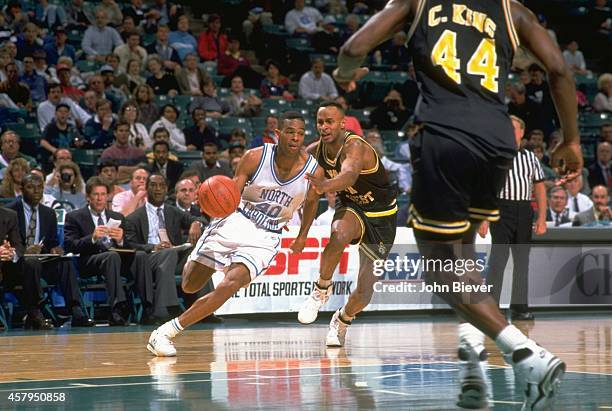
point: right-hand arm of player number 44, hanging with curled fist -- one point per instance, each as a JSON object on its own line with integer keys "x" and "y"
{"x": 562, "y": 86}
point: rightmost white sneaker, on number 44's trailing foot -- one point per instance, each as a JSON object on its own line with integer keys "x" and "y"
{"x": 537, "y": 375}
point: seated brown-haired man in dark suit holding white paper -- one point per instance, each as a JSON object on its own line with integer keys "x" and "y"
{"x": 88, "y": 233}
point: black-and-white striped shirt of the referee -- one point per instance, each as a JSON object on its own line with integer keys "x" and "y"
{"x": 525, "y": 172}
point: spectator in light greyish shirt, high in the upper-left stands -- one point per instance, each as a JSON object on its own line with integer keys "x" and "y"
{"x": 100, "y": 40}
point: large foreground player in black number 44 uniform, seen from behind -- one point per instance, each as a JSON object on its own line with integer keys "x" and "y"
{"x": 462, "y": 53}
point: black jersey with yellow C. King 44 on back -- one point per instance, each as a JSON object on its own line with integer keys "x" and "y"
{"x": 462, "y": 53}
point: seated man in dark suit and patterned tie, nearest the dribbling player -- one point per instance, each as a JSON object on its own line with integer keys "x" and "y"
{"x": 155, "y": 228}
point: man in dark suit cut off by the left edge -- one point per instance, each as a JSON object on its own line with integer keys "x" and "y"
{"x": 16, "y": 270}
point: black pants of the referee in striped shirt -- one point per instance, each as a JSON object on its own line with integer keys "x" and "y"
{"x": 511, "y": 232}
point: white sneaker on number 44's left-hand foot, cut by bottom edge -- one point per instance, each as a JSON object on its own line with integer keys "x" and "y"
{"x": 472, "y": 374}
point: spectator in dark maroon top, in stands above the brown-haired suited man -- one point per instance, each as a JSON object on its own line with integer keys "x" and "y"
{"x": 127, "y": 157}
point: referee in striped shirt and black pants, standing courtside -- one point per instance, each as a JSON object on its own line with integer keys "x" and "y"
{"x": 513, "y": 229}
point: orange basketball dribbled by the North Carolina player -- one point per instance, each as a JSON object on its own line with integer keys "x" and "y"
{"x": 218, "y": 196}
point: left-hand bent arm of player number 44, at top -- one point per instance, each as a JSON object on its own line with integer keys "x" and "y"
{"x": 376, "y": 30}
